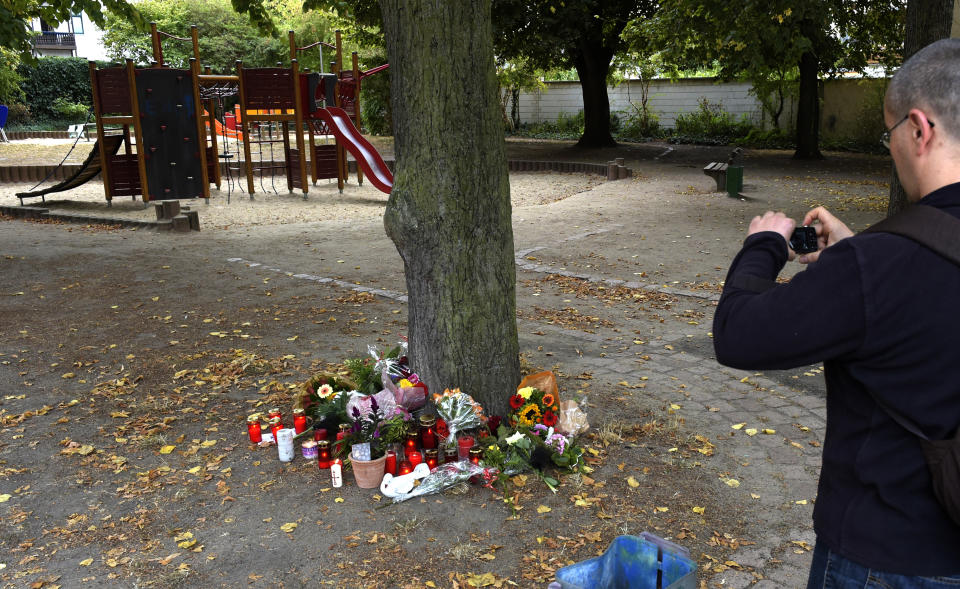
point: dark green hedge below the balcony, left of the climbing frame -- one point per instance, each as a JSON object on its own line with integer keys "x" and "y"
{"x": 52, "y": 78}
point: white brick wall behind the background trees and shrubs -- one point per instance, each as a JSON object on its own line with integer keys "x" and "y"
{"x": 667, "y": 99}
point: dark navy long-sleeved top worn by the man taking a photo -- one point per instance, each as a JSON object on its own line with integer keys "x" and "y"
{"x": 883, "y": 314}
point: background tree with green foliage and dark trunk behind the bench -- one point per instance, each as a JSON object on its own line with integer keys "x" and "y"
{"x": 760, "y": 41}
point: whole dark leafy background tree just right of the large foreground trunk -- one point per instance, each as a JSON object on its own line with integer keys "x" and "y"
{"x": 583, "y": 34}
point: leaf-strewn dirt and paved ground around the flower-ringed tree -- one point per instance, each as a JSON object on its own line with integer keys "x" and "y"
{"x": 119, "y": 343}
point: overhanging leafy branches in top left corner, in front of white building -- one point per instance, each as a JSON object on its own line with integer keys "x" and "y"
{"x": 15, "y": 17}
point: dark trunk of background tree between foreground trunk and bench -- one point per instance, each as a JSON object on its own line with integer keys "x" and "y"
{"x": 593, "y": 65}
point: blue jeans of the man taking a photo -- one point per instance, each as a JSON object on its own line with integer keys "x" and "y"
{"x": 832, "y": 571}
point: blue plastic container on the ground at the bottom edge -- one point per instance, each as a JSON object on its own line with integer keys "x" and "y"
{"x": 633, "y": 562}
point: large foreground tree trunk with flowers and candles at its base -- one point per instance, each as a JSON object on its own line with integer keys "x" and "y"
{"x": 449, "y": 212}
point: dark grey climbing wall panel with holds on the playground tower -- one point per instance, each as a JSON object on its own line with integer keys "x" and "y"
{"x": 170, "y": 140}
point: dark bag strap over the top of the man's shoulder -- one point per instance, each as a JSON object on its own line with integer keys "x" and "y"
{"x": 928, "y": 226}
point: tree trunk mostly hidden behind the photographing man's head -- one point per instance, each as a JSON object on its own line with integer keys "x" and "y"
{"x": 927, "y": 21}
